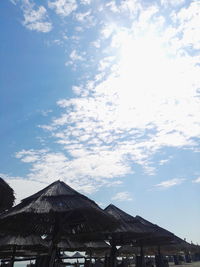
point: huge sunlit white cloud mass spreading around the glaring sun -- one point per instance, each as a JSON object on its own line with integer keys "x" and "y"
{"x": 143, "y": 97}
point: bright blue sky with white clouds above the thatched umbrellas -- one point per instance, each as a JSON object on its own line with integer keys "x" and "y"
{"x": 105, "y": 96}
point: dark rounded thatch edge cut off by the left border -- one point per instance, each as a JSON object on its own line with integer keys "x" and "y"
{"x": 7, "y": 197}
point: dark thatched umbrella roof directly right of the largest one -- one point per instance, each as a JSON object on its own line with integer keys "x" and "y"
{"x": 129, "y": 227}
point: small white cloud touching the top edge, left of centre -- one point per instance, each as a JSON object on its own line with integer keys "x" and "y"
{"x": 63, "y": 7}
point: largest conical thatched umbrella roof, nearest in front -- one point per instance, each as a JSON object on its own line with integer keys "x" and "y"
{"x": 56, "y": 208}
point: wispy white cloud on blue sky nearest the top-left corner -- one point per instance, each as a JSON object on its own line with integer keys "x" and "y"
{"x": 36, "y": 18}
